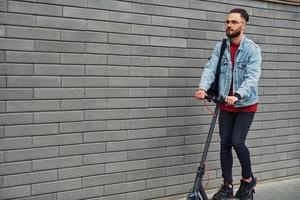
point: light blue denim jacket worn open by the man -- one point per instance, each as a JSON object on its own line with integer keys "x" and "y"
{"x": 245, "y": 74}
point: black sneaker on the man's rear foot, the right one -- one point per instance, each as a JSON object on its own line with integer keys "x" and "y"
{"x": 246, "y": 188}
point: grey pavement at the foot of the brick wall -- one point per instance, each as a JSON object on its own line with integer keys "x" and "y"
{"x": 279, "y": 189}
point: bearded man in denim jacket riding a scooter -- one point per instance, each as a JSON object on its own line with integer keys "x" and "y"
{"x": 238, "y": 83}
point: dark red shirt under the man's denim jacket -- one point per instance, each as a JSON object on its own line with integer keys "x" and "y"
{"x": 230, "y": 108}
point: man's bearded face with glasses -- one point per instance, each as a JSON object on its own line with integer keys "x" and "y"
{"x": 235, "y": 25}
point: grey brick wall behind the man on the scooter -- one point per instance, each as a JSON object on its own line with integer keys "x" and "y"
{"x": 96, "y": 96}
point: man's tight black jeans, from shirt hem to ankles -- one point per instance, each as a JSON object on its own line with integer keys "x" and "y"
{"x": 234, "y": 128}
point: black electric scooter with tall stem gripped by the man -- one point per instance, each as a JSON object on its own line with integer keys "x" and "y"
{"x": 198, "y": 191}
